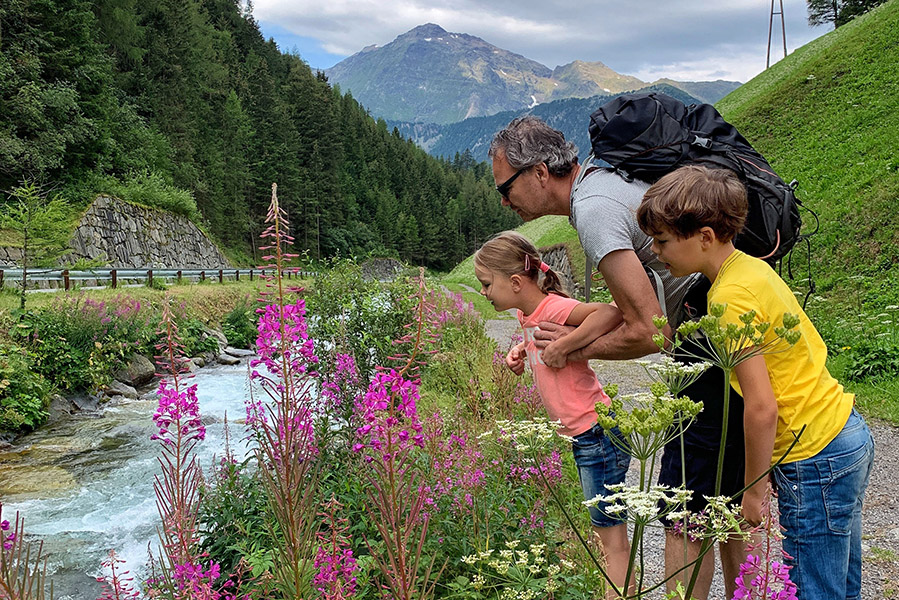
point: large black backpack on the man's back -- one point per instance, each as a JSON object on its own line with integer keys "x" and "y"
{"x": 647, "y": 135}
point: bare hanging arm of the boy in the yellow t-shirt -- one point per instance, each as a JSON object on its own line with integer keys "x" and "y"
{"x": 759, "y": 429}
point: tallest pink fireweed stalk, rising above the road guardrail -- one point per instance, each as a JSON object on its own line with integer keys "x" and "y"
{"x": 283, "y": 427}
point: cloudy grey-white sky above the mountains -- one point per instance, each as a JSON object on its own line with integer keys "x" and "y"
{"x": 681, "y": 39}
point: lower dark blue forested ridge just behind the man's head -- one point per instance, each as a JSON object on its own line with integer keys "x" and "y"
{"x": 571, "y": 116}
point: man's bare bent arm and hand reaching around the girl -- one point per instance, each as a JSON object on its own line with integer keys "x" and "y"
{"x": 637, "y": 301}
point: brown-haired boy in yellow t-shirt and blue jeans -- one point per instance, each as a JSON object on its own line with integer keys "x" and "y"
{"x": 693, "y": 215}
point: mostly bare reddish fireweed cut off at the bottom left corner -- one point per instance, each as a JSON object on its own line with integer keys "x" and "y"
{"x": 23, "y": 568}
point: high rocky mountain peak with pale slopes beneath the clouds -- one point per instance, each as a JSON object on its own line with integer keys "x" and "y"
{"x": 429, "y": 75}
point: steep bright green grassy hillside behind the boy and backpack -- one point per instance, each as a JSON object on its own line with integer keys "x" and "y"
{"x": 826, "y": 116}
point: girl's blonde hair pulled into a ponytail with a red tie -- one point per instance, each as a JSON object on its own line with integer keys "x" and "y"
{"x": 510, "y": 253}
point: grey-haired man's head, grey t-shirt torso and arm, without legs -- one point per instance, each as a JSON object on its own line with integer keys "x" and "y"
{"x": 535, "y": 170}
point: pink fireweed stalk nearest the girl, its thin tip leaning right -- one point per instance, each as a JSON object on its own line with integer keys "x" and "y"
{"x": 388, "y": 440}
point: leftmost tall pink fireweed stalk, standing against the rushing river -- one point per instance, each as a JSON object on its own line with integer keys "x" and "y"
{"x": 177, "y": 486}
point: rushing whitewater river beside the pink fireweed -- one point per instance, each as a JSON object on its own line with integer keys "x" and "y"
{"x": 84, "y": 485}
